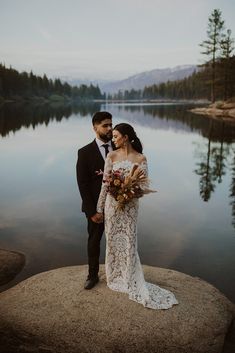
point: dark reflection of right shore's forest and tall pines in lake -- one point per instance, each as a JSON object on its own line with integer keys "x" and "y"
{"x": 213, "y": 155}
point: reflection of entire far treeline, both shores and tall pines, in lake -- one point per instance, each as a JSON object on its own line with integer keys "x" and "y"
{"x": 212, "y": 156}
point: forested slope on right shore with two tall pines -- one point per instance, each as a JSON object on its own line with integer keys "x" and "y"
{"x": 214, "y": 79}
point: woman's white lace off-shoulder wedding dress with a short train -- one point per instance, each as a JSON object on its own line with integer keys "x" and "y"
{"x": 122, "y": 264}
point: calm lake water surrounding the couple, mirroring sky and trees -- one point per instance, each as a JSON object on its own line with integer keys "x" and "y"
{"x": 189, "y": 225}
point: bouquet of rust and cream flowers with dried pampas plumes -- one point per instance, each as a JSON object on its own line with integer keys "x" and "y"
{"x": 124, "y": 187}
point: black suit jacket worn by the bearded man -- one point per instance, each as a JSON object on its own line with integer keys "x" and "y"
{"x": 89, "y": 163}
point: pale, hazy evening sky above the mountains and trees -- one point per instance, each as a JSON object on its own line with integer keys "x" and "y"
{"x": 105, "y": 39}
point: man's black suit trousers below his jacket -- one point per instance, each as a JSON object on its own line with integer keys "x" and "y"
{"x": 95, "y": 231}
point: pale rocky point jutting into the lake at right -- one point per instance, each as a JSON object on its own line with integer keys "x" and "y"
{"x": 219, "y": 110}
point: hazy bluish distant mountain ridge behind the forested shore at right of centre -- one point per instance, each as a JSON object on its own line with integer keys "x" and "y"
{"x": 148, "y": 78}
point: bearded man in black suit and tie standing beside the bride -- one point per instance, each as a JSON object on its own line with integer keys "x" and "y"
{"x": 89, "y": 164}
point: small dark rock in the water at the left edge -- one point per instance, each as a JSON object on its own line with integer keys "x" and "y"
{"x": 11, "y": 263}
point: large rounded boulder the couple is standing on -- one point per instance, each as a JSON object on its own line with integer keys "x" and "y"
{"x": 51, "y": 312}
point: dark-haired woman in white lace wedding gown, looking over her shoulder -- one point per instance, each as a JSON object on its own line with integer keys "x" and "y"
{"x": 122, "y": 264}
